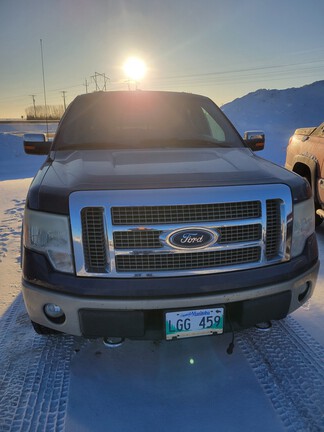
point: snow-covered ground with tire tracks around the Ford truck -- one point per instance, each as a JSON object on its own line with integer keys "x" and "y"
{"x": 274, "y": 381}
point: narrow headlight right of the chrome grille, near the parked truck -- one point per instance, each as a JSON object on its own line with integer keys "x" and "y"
{"x": 303, "y": 225}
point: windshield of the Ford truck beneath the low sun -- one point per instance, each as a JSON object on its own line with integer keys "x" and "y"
{"x": 144, "y": 119}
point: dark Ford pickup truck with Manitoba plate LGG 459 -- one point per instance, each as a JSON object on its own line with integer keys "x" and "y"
{"x": 152, "y": 218}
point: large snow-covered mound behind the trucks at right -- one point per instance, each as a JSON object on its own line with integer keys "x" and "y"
{"x": 278, "y": 113}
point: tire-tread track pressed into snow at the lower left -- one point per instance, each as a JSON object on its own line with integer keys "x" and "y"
{"x": 34, "y": 375}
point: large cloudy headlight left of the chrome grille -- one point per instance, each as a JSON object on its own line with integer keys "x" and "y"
{"x": 49, "y": 234}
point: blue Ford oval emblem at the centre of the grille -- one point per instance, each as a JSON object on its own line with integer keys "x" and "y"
{"x": 192, "y": 238}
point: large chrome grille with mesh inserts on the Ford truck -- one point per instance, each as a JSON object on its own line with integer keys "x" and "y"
{"x": 116, "y": 239}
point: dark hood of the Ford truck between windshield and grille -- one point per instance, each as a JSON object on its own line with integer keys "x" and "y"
{"x": 148, "y": 169}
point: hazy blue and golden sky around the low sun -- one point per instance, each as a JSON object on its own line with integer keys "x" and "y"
{"x": 220, "y": 48}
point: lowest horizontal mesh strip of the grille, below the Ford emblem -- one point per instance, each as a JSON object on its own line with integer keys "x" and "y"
{"x": 186, "y": 261}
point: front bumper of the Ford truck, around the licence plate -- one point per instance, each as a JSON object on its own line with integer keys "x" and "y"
{"x": 142, "y": 318}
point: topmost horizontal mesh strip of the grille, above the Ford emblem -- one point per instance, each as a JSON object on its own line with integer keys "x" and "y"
{"x": 185, "y": 213}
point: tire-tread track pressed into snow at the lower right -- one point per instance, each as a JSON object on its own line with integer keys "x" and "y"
{"x": 289, "y": 365}
